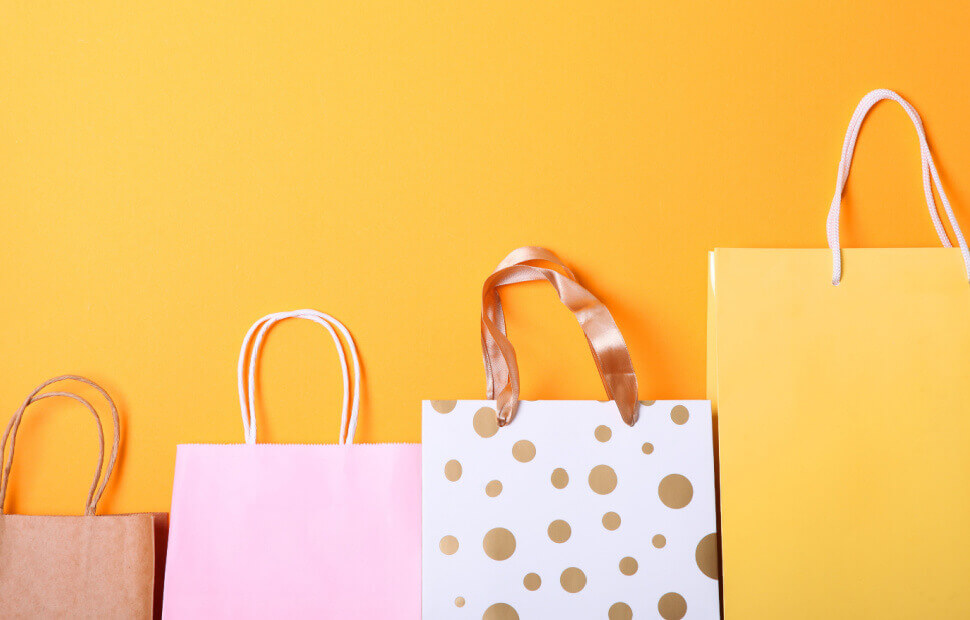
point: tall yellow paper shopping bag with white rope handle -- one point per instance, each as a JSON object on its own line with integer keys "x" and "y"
{"x": 842, "y": 417}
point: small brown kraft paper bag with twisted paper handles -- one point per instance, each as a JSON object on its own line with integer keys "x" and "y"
{"x": 88, "y": 566}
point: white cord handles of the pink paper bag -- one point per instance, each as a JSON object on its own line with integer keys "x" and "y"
{"x": 247, "y": 370}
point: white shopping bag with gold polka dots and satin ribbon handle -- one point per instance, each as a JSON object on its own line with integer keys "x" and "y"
{"x": 565, "y": 509}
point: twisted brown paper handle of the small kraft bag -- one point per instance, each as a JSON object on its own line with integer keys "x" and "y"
{"x": 95, "y": 492}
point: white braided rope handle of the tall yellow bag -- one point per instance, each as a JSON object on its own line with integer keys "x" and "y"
{"x": 929, "y": 174}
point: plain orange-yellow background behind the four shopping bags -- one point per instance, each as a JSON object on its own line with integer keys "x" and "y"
{"x": 170, "y": 173}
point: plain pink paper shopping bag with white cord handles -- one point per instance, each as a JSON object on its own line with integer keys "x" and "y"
{"x": 295, "y": 531}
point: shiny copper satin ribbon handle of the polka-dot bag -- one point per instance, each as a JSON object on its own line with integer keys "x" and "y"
{"x": 606, "y": 343}
